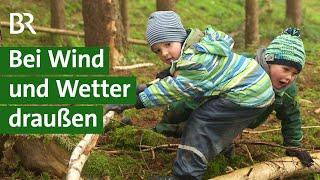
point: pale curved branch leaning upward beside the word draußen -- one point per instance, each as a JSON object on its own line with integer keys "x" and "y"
{"x": 82, "y": 151}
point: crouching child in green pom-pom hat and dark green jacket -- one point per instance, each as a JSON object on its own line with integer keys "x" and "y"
{"x": 283, "y": 60}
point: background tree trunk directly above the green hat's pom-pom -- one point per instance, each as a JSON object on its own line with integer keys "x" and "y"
{"x": 293, "y": 11}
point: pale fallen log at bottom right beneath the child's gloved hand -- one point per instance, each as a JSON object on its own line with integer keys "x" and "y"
{"x": 273, "y": 169}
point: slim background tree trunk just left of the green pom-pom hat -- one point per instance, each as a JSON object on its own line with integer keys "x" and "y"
{"x": 252, "y": 23}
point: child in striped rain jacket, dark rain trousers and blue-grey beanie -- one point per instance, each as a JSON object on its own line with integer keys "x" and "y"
{"x": 227, "y": 91}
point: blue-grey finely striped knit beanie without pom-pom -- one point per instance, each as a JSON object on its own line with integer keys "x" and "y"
{"x": 165, "y": 26}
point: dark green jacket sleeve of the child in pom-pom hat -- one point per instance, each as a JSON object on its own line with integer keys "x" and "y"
{"x": 289, "y": 113}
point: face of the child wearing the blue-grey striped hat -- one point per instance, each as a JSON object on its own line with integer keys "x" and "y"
{"x": 167, "y": 51}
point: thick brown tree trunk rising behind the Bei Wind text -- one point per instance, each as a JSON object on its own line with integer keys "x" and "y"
{"x": 103, "y": 26}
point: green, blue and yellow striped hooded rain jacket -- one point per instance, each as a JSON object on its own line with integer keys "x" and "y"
{"x": 207, "y": 67}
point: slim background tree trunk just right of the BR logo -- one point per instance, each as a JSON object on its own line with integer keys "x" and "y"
{"x": 57, "y": 19}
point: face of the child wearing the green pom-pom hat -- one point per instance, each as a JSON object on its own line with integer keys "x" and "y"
{"x": 282, "y": 75}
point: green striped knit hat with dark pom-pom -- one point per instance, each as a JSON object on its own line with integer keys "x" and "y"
{"x": 287, "y": 49}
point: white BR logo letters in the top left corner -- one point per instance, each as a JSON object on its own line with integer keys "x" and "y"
{"x": 19, "y": 25}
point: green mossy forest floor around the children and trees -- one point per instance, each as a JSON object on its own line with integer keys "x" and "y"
{"x": 131, "y": 162}
